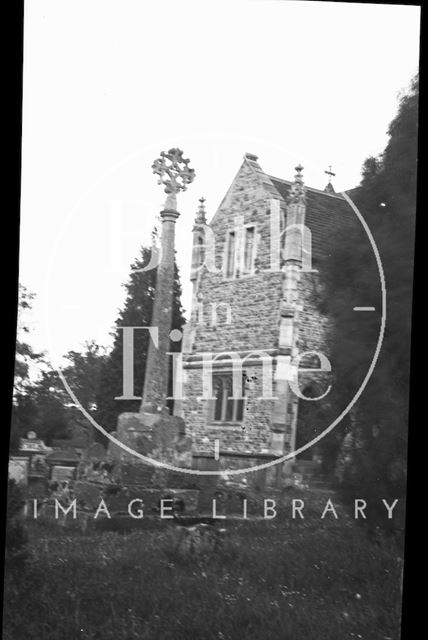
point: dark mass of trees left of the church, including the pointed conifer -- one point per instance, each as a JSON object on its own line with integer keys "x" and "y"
{"x": 42, "y": 403}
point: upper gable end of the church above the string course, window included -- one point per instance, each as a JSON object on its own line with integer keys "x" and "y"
{"x": 238, "y": 306}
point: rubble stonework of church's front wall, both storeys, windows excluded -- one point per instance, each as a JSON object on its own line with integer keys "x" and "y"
{"x": 254, "y": 304}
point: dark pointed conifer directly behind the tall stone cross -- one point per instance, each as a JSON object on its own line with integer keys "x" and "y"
{"x": 136, "y": 312}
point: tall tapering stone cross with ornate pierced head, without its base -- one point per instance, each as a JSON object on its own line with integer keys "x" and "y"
{"x": 174, "y": 173}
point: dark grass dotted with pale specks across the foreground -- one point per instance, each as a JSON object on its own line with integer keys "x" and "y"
{"x": 284, "y": 579}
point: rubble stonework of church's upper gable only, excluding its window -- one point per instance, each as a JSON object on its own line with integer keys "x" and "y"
{"x": 254, "y": 299}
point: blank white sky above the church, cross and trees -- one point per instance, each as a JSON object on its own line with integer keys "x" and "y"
{"x": 108, "y": 84}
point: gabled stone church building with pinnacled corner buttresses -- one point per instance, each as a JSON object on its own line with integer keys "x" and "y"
{"x": 257, "y": 269}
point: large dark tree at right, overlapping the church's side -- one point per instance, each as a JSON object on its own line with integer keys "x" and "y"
{"x": 386, "y": 197}
